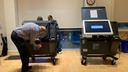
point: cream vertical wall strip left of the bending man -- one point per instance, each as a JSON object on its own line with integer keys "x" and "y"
{"x": 10, "y": 20}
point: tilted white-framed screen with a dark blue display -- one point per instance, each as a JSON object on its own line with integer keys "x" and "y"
{"x": 97, "y": 27}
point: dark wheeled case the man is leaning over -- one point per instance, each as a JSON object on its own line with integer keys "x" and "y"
{"x": 48, "y": 41}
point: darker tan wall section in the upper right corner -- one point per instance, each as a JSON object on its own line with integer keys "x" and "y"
{"x": 121, "y": 10}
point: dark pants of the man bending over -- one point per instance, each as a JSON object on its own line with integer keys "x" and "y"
{"x": 23, "y": 50}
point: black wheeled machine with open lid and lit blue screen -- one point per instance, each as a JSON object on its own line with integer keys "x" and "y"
{"x": 98, "y": 38}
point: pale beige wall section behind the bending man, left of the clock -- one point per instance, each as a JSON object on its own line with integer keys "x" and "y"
{"x": 66, "y": 12}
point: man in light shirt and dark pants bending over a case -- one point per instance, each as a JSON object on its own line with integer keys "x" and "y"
{"x": 23, "y": 35}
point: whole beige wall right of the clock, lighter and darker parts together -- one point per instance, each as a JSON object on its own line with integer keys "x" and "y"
{"x": 116, "y": 9}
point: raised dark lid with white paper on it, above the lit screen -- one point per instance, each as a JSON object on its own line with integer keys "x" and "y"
{"x": 93, "y": 13}
